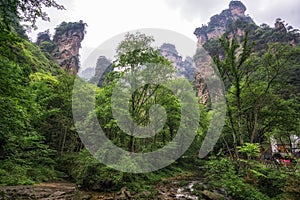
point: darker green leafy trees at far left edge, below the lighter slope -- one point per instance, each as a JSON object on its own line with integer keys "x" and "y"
{"x": 23, "y": 152}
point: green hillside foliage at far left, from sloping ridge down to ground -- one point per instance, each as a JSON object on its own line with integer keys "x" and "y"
{"x": 25, "y": 157}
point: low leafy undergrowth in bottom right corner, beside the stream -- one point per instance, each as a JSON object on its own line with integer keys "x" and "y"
{"x": 256, "y": 181}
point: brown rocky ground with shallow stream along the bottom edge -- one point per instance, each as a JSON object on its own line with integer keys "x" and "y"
{"x": 180, "y": 188}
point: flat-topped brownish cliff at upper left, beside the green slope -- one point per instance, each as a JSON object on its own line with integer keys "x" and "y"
{"x": 64, "y": 47}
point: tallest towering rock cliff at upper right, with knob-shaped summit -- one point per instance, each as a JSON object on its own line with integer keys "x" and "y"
{"x": 234, "y": 23}
